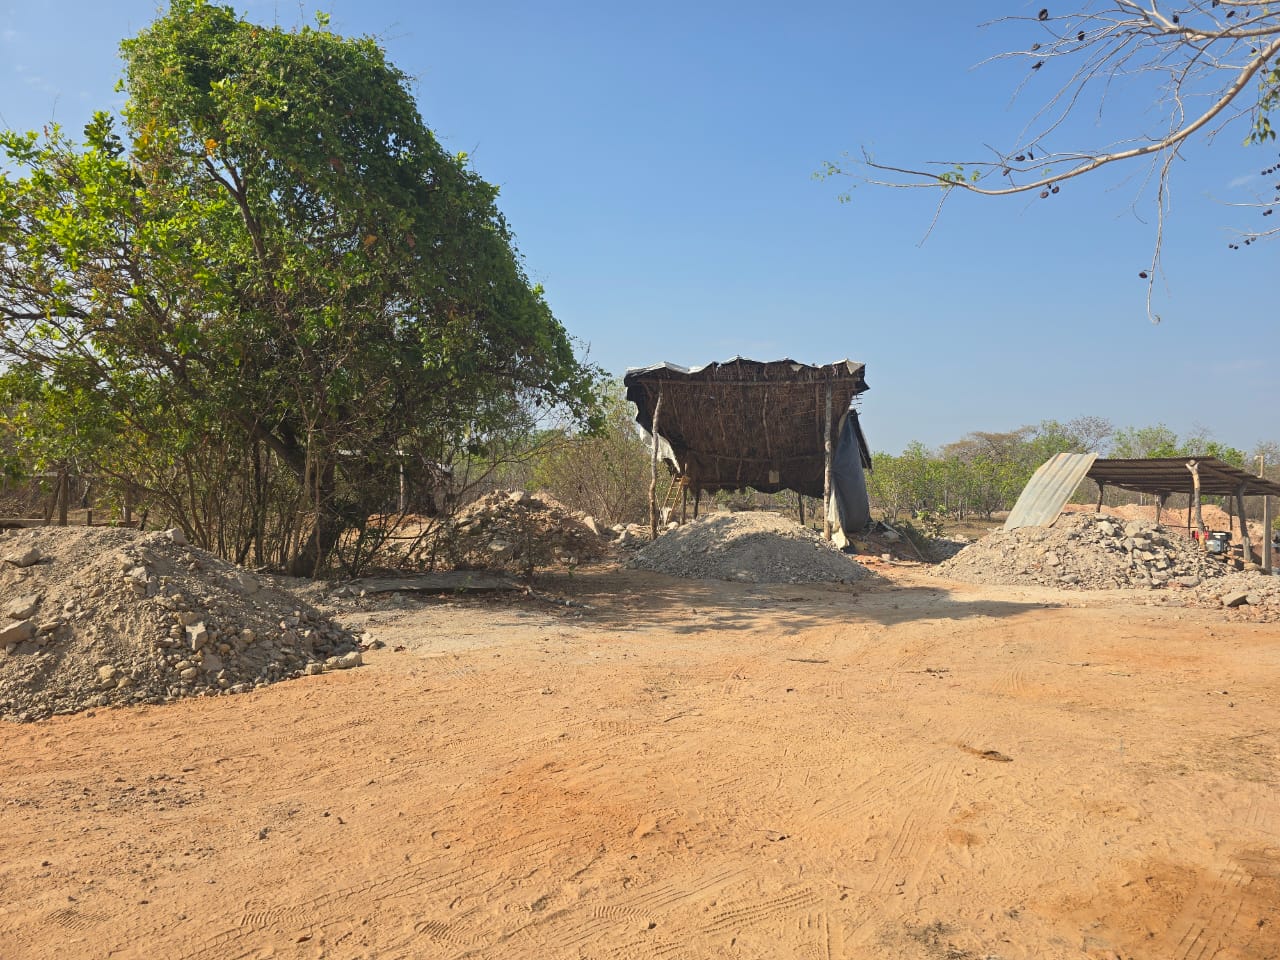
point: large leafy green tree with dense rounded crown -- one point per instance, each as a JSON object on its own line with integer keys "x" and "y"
{"x": 275, "y": 244}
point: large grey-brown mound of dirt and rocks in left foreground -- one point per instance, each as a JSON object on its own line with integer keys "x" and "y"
{"x": 97, "y": 616}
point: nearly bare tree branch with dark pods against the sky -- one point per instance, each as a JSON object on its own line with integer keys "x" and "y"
{"x": 1214, "y": 65}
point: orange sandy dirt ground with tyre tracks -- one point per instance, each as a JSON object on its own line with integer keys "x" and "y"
{"x": 682, "y": 770}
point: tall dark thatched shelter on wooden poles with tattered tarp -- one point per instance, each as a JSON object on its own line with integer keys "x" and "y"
{"x": 771, "y": 426}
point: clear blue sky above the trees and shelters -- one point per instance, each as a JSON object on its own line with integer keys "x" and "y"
{"x": 655, "y": 162}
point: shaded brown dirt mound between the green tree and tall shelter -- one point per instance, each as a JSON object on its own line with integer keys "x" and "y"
{"x": 515, "y": 531}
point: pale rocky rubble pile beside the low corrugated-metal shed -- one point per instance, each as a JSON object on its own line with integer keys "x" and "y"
{"x": 1086, "y": 552}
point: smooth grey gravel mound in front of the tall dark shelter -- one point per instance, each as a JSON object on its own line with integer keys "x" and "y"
{"x": 756, "y": 548}
